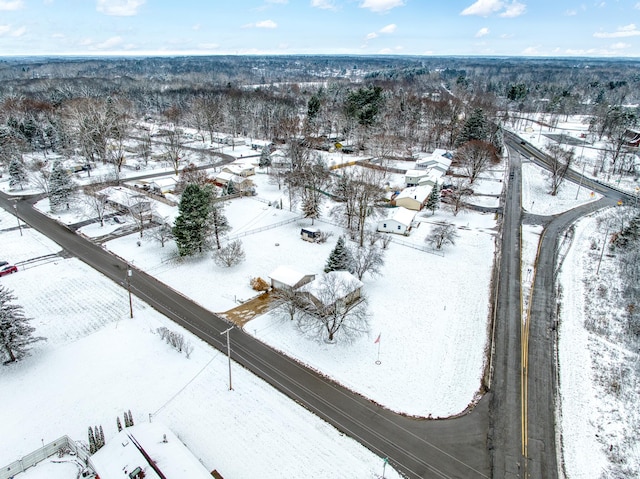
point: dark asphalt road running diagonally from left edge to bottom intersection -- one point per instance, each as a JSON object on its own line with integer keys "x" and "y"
{"x": 452, "y": 448}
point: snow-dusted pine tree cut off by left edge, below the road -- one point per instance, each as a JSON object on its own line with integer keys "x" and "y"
{"x": 15, "y": 331}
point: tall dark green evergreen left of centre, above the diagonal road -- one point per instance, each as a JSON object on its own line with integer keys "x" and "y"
{"x": 193, "y": 224}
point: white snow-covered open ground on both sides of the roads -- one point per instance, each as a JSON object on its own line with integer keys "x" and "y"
{"x": 113, "y": 363}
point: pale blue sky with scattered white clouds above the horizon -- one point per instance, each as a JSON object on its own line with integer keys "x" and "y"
{"x": 589, "y": 28}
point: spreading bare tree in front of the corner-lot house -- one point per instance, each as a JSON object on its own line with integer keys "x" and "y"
{"x": 327, "y": 310}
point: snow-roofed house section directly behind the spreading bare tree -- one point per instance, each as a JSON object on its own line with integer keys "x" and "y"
{"x": 334, "y": 289}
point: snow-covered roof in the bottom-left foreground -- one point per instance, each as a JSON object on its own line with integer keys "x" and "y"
{"x": 121, "y": 455}
